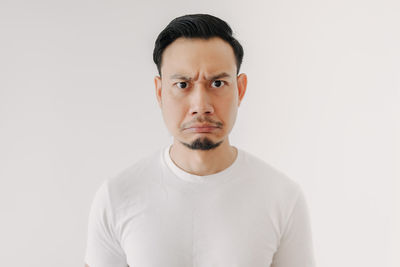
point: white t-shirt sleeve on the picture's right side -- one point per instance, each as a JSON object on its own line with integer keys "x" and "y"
{"x": 296, "y": 245}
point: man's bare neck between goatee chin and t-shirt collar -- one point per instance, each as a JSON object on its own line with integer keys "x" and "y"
{"x": 203, "y": 162}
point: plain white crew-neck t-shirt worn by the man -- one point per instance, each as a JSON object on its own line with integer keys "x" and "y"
{"x": 154, "y": 214}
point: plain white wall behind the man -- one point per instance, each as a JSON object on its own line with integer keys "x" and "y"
{"x": 77, "y": 105}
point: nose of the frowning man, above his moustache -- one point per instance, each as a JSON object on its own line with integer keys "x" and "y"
{"x": 201, "y": 101}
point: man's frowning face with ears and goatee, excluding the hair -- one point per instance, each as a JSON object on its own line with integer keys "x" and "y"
{"x": 199, "y": 87}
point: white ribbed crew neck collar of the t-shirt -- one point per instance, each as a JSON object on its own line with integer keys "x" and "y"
{"x": 218, "y": 177}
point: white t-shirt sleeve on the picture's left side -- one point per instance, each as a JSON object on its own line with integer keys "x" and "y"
{"x": 103, "y": 248}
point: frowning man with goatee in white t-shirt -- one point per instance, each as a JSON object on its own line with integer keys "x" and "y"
{"x": 200, "y": 201}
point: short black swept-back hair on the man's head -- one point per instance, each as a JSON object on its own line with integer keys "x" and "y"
{"x": 202, "y": 26}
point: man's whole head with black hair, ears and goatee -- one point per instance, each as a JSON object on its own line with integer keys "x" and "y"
{"x": 198, "y": 62}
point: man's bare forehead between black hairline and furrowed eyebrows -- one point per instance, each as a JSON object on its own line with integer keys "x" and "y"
{"x": 193, "y": 56}
